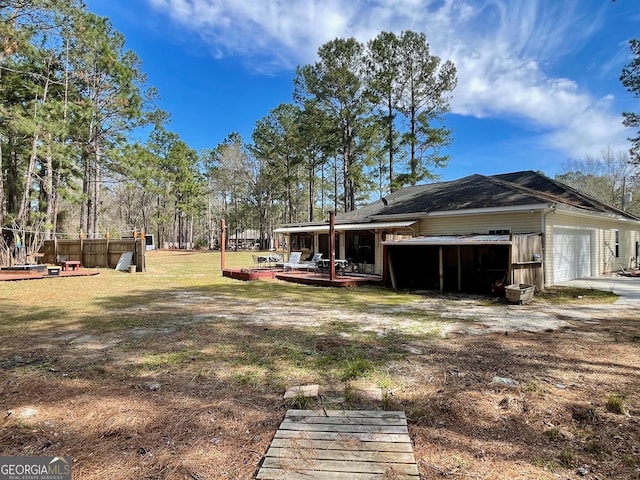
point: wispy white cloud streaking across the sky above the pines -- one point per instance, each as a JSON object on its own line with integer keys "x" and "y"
{"x": 502, "y": 49}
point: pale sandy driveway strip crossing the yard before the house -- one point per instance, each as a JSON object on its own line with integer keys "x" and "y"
{"x": 450, "y": 314}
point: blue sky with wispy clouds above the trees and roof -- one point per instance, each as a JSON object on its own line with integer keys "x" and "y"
{"x": 538, "y": 80}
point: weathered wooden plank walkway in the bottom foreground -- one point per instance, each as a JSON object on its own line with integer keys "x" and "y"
{"x": 340, "y": 445}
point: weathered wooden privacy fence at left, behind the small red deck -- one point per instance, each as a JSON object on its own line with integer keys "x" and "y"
{"x": 100, "y": 253}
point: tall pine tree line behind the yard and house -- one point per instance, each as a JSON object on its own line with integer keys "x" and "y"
{"x": 85, "y": 150}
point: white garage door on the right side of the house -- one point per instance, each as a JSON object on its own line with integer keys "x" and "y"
{"x": 571, "y": 254}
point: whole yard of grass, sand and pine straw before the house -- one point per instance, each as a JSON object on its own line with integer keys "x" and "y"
{"x": 179, "y": 373}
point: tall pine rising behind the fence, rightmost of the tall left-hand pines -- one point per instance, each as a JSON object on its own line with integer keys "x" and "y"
{"x": 111, "y": 88}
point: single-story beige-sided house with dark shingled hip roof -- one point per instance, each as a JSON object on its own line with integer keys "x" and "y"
{"x": 479, "y": 232}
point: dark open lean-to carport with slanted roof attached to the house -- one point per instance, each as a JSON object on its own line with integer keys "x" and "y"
{"x": 463, "y": 263}
